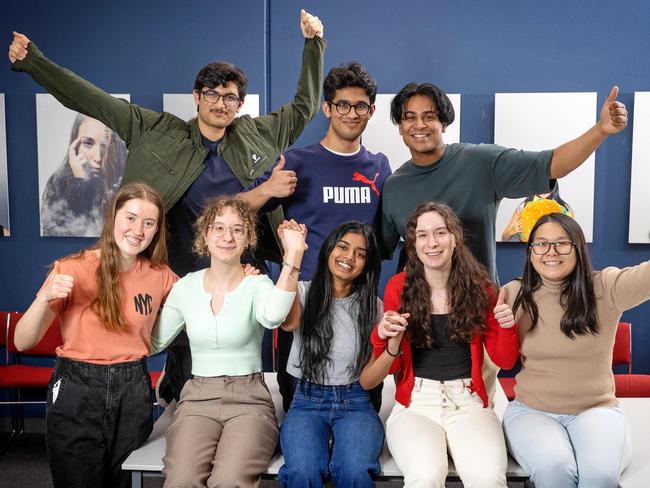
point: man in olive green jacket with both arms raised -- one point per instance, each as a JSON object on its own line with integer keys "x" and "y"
{"x": 189, "y": 162}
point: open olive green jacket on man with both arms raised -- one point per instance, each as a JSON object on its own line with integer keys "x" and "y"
{"x": 168, "y": 153}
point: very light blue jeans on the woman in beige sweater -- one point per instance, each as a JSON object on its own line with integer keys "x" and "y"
{"x": 589, "y": 450}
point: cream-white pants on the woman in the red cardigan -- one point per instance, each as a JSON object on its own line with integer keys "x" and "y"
{"x": 447, "y": 417}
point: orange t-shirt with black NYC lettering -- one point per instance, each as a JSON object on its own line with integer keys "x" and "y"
{"x": 143, "y": 290}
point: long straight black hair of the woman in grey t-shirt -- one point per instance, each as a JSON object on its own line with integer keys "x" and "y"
{"x": 316, "y": 329}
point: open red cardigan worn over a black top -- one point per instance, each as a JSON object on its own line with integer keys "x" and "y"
{"x": 502, "y": 346}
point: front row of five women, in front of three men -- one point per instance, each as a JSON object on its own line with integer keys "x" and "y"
{"x": 439, "y": 316}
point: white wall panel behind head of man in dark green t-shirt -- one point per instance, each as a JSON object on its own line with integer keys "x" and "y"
{"x": 382, "y": 136}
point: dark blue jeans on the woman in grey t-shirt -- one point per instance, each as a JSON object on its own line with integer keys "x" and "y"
{"x": 344, "y": 412}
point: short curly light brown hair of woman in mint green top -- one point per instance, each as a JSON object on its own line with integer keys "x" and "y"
{"x": 217, "y": 206}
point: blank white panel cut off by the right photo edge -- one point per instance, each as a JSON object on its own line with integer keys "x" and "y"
{"x": 639, "y": 231}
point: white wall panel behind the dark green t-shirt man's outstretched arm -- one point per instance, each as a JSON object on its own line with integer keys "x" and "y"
{"x": 530, "y": 121}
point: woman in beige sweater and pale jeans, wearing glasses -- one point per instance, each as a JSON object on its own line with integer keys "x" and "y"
{"x": 565, "y": 426}
